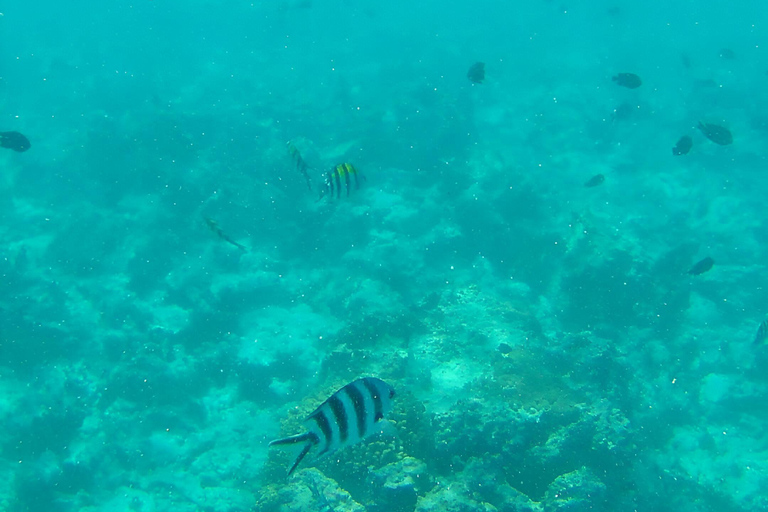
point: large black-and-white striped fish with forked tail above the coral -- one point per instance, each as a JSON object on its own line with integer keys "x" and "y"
{"x": 348, "y": 416}
